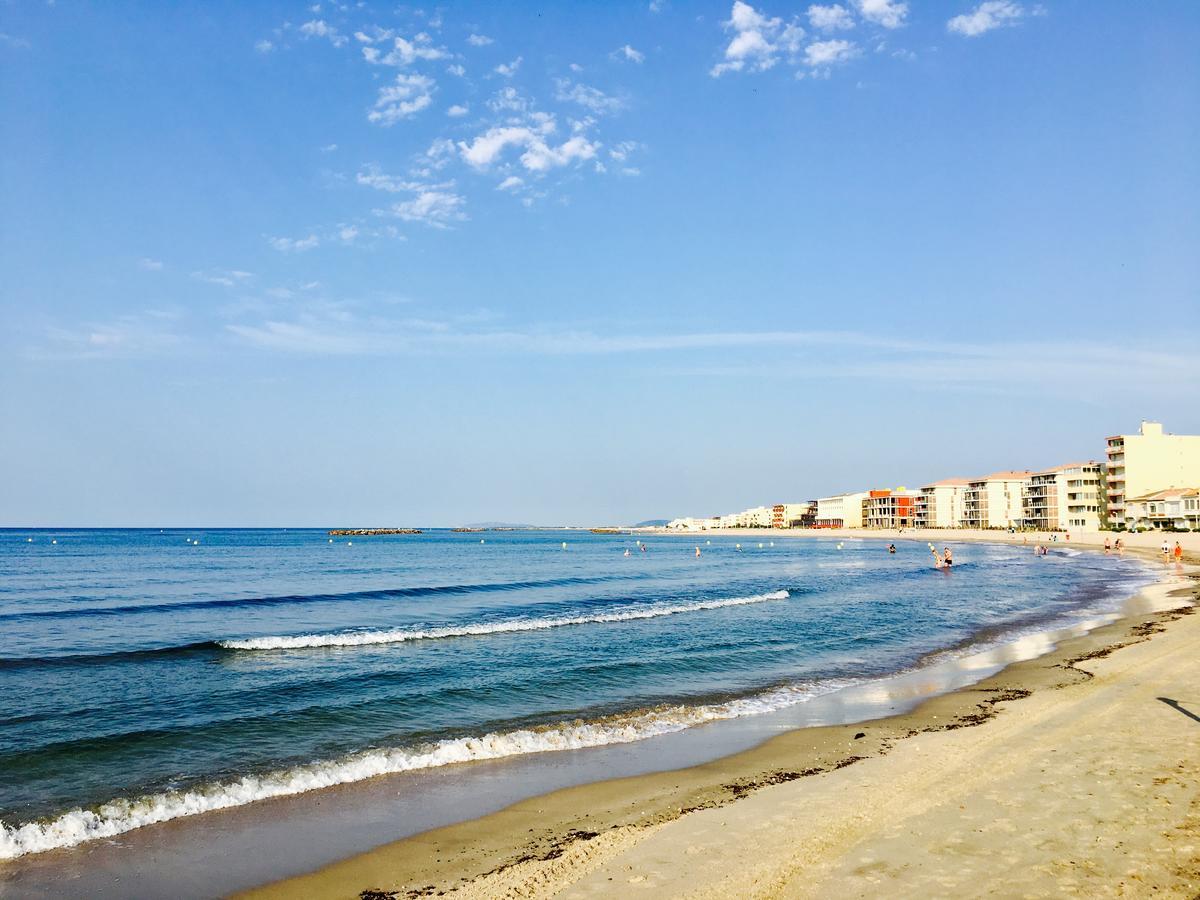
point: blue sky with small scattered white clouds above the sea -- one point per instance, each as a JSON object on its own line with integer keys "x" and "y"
{"x": 364, "y": 265}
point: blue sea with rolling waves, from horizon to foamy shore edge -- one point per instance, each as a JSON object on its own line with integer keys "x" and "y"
{"x": 141, "y": 676}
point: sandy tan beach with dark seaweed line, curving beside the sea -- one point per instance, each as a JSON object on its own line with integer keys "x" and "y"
{"x": 1077, "y": 773}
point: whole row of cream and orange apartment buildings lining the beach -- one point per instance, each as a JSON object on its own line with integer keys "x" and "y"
{"x": 1147, "y": 481}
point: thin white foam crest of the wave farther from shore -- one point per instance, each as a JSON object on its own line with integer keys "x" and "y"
{"x": 362, "y": 639}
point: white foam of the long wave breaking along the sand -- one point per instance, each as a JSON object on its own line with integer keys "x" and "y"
{"x": 124, "y": 815}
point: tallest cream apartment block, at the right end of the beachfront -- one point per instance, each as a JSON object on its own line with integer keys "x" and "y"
{"x": 1141, "y": 465}
